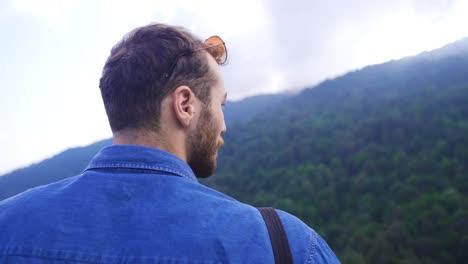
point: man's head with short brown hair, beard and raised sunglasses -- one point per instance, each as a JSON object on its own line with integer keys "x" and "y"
{"x": 161, "y": 80}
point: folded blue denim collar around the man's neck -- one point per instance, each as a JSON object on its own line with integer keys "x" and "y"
{"x": 140, "y": 157}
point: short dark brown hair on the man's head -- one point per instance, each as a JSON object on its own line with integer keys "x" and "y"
{"x": 133, "y": 82}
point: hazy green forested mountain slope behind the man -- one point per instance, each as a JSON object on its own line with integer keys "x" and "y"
{"x": 375, "y": 160}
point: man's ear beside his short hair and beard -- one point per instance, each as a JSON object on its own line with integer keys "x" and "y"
{"x": 183, "y": 104}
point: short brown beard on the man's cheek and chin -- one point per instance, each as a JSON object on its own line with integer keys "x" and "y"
{"x": 203, "y": 145}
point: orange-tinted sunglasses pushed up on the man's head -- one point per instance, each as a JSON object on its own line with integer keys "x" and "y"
{"x": 213, "y": 45}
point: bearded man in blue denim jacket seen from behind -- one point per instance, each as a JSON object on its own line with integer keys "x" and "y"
{"x": 139, "y": 200}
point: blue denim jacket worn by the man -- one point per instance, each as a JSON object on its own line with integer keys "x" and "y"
{"x": 142, "y": 205}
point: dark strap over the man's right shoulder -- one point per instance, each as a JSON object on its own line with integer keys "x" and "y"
{"x": 279, "y": 240}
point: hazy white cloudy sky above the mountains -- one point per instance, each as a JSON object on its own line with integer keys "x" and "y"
{"x": 53, "y": 52}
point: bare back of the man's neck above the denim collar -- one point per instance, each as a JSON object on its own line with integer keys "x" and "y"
{"x": 150, "y": 139}
